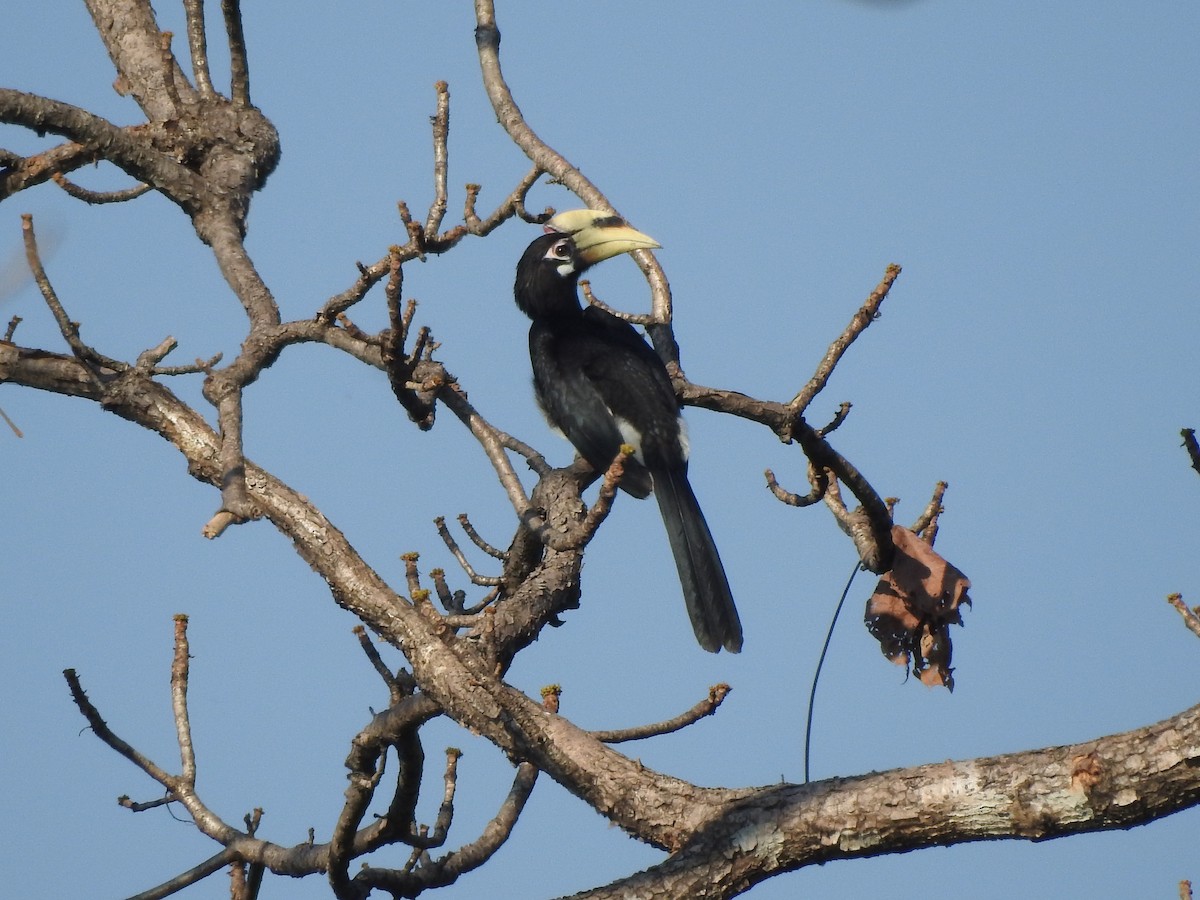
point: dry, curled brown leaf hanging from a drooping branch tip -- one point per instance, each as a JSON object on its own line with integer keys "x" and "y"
{"x": 914, "y": 607}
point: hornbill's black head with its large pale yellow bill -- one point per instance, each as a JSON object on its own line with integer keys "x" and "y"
{"x": 549, "y": 272}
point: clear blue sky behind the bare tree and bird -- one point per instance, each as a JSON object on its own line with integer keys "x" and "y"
{"x": 1031, "y": 166}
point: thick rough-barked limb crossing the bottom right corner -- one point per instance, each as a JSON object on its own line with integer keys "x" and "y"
{"x": 1113, "y": 783}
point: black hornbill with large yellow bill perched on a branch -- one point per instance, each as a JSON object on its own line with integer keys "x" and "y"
{"x": 602, "y": 386}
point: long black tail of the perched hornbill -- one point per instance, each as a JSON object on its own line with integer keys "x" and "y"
{"x": 706, "y": 591}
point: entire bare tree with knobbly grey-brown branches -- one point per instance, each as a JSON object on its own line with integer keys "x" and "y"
{"x": 211, "y": 157}
